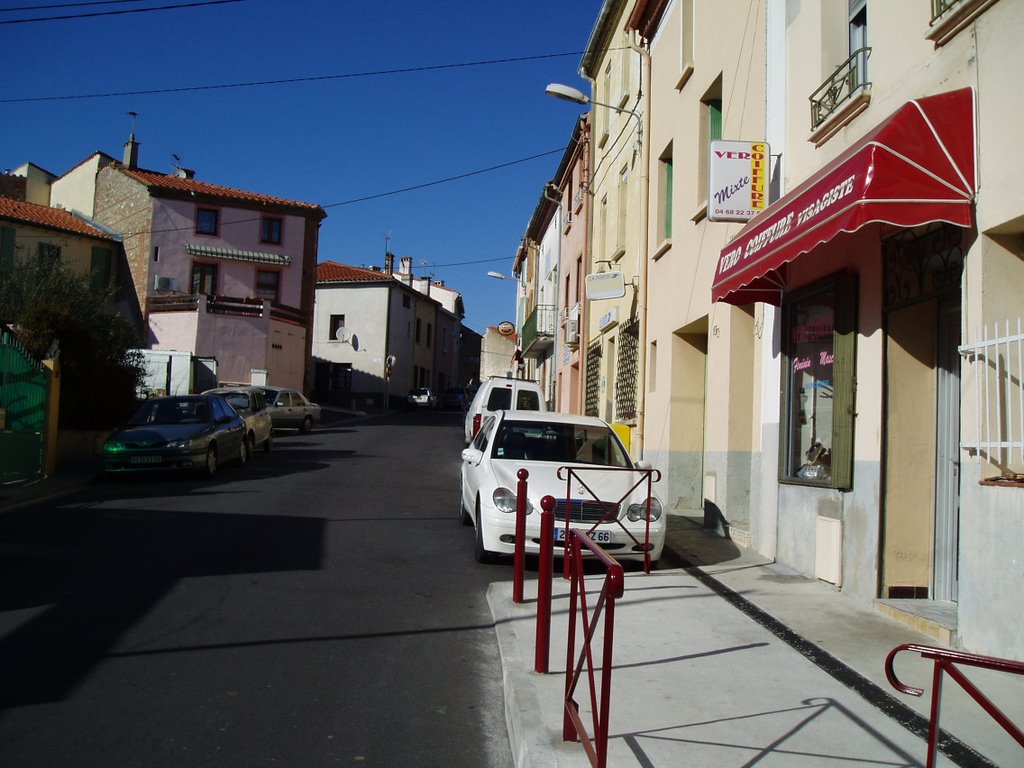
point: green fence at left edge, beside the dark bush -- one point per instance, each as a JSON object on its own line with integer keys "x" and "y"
{"x": 23, "y": 411}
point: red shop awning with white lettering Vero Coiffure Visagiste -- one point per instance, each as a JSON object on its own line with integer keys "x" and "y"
{"x": 917, "y": 167}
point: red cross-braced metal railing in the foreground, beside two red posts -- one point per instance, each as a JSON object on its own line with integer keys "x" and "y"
{"x": 614, "y": 587}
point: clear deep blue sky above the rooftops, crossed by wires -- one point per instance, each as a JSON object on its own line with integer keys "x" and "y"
{"x": 334, "y": 141}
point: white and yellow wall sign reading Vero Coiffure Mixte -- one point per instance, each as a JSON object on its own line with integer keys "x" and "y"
{"x": 739, "y": 181}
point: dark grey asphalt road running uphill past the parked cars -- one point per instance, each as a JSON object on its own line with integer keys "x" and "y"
{"x": 319, "y": 607}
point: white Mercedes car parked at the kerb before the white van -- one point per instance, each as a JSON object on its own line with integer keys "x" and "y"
{"x": 575, "y": 458}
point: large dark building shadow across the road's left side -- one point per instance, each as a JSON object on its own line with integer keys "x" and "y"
{"x": 98, "y": 573}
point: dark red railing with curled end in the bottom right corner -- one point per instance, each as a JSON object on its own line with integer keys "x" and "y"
{"x": 946, "y": 663}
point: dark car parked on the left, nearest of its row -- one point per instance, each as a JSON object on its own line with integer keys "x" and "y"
{"x": 188, "y": 433}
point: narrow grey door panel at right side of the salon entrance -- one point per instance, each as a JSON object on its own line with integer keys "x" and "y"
{"x": 948, "y": 455}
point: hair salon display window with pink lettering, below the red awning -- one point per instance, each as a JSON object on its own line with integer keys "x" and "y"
{"x": 819, "y": 387}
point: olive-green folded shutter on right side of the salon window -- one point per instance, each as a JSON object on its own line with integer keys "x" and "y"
{"x": 845, "y": 386}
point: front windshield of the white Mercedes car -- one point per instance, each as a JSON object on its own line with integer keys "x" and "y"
{"x": 564, "y": 444}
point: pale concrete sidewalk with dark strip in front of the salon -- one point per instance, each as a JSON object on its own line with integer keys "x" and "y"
{"x": 733, "y": 661}
